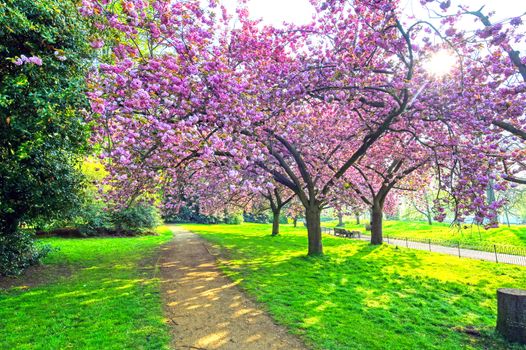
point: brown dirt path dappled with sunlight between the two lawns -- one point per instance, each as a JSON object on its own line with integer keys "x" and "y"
{"x": 205, "y": 309}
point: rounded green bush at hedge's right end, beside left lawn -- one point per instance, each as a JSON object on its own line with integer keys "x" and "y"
{"x": 139, "y": 218}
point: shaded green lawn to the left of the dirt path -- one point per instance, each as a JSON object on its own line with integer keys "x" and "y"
{"x": 111, "y": 301}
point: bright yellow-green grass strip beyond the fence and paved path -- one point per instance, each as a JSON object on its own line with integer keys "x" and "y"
{"x": 471, "y": 235}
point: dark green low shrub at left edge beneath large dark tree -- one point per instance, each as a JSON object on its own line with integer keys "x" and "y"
{"x": 18, "y": 251}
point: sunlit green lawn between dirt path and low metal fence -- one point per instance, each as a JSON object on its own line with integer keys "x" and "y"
{"x": 363, "y": 297}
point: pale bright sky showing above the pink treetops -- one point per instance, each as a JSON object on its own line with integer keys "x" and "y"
{"x": 275, "y": 12}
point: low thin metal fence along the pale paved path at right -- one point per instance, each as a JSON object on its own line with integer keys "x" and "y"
{"x": 491, "y": 252}
